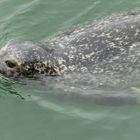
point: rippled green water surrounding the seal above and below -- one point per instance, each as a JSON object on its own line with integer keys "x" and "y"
{"x": 42, "y": 116}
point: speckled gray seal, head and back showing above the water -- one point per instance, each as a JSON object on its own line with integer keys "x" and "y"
{"x": 106, "y": 47}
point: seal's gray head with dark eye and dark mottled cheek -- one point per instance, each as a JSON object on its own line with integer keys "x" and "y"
{"x": 26, "y": 59}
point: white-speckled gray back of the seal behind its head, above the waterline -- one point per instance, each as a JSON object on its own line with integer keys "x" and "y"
{"x": 107, "y": 46}
